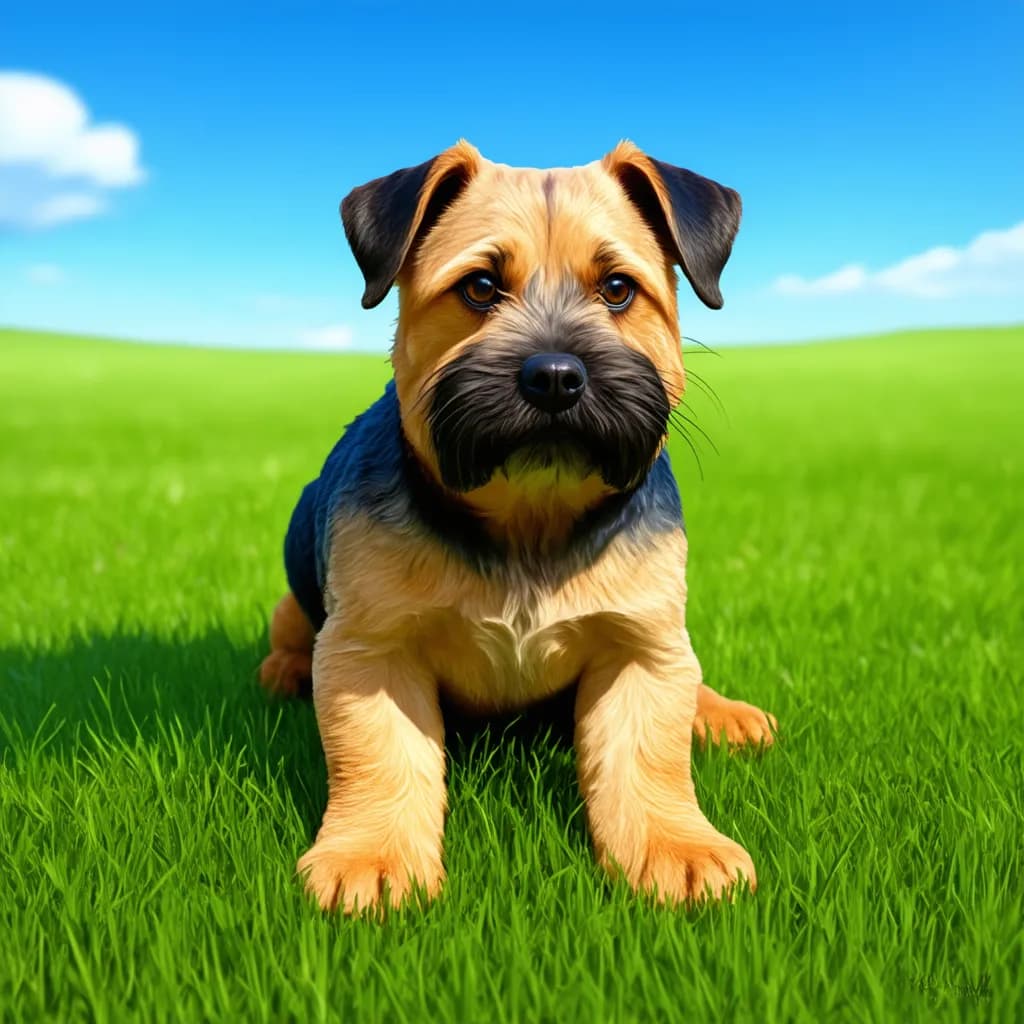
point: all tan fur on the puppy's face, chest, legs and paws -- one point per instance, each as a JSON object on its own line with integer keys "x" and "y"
{"x": 408, "y": 623}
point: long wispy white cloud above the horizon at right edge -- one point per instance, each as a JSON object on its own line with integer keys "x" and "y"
{"x": 992, "y": 265}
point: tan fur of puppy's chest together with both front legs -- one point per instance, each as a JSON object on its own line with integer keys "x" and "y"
{"x": 431, "y": 619}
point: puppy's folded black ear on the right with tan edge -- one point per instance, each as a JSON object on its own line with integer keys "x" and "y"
{"x": 695, "y": 218}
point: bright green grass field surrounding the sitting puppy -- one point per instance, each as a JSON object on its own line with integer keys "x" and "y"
{"x": 856, "y": 568}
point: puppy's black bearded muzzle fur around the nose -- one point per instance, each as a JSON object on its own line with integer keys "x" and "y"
{"x": 481, "y": 424}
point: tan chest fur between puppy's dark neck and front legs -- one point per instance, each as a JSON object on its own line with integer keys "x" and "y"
{"x": 501, "y": 646}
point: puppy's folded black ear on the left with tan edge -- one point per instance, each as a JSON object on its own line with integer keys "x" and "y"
{"x": 386, "y": 217}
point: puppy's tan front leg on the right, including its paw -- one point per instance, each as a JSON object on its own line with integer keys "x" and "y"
{"x": 635, "y": 714}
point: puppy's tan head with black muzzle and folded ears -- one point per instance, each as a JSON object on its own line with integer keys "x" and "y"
{"x": 538, "y": 353}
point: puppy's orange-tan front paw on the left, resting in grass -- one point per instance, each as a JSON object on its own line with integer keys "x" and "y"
{"x": 360, "y": 883}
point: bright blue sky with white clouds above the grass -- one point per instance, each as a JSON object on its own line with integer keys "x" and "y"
{"x": 175, "y": 174}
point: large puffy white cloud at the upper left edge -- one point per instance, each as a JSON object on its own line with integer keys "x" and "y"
{"x": 47, "y": 139}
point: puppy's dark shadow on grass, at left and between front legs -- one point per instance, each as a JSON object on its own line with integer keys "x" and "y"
{"x": 132, "y": 689}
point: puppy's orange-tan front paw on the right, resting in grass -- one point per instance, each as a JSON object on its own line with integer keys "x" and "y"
{"x": 693, "y": 870}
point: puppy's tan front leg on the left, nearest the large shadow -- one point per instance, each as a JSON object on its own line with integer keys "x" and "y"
{"x": 381, "y": 728}
